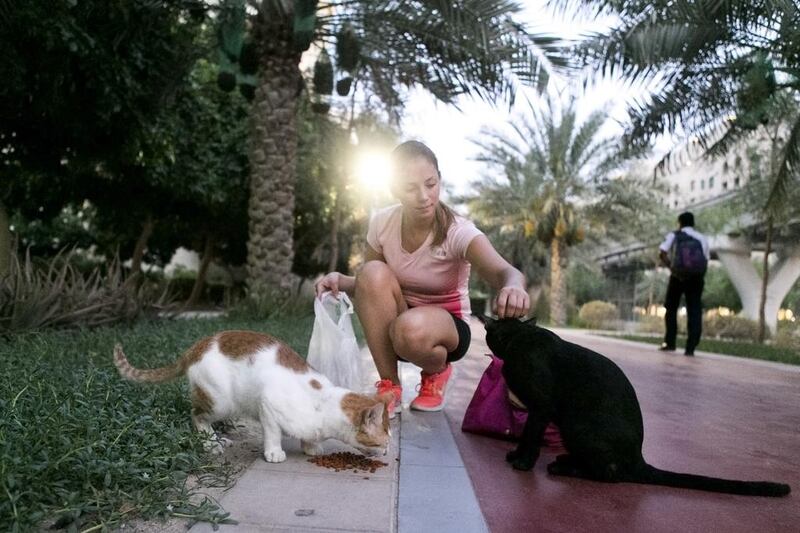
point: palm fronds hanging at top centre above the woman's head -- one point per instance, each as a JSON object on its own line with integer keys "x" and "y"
{"x": 454, "y": 48}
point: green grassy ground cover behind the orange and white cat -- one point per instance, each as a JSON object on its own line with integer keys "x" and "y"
{"x": 84, "y": 450}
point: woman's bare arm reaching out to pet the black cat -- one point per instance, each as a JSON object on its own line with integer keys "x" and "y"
{"x": 512, "y": 299}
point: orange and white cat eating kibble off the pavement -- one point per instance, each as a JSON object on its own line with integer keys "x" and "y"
{"x": 248, "y": 374}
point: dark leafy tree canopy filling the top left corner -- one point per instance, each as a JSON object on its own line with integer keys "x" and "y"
{"x": 81, "y": 81}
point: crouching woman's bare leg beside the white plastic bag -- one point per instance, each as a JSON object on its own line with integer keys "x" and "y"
{"x": 378, "y": 302}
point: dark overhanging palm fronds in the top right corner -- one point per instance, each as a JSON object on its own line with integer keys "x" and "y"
{"x": 716, "y": 70}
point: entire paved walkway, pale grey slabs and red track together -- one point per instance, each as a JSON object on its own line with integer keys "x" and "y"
{"x": 709, "y": 414}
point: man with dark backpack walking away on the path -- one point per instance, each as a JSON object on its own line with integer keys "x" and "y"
{"x": 685, "y": 252}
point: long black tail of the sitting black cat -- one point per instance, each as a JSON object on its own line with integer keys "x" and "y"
{"x": 653, "y": 476}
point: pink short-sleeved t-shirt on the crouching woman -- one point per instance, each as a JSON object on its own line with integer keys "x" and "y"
{"x": 431, "y": 275}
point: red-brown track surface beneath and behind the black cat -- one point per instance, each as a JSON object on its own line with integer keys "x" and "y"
{"x": 718, "y": 417}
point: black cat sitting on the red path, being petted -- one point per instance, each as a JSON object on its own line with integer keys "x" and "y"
{"x": 594, "y": 405}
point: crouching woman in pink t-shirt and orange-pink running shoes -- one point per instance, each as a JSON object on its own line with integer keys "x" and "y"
{"x": 411, "y": 295}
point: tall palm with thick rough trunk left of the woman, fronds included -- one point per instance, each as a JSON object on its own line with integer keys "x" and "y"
{"x": 466, "y": 47}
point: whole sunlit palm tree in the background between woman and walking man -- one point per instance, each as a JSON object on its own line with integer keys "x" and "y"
{"x": 548, "y": 165}
